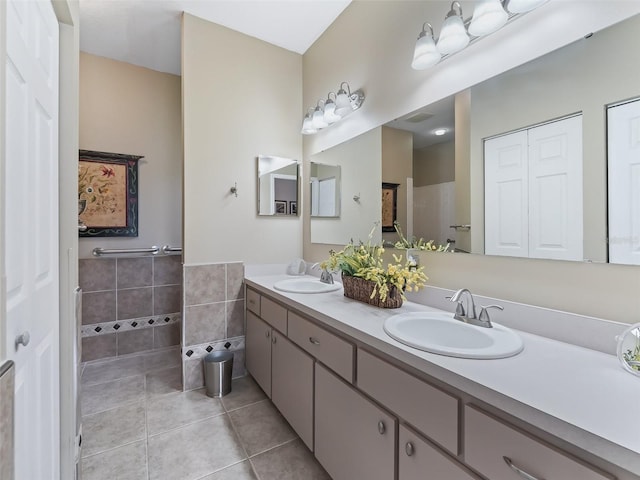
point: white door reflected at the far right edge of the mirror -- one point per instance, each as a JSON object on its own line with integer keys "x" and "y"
{"x": 624, "y": 183}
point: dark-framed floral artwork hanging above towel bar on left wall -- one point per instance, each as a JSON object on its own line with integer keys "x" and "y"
{"x": 108, "y": 194}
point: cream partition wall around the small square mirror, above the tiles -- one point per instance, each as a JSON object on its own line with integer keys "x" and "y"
{"x": 241, "y": 98}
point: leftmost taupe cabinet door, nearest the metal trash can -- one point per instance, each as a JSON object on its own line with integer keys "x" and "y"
{"x": 258, "y": 352}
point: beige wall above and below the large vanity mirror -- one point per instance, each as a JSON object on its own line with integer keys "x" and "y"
{"x": 393, "y": 89}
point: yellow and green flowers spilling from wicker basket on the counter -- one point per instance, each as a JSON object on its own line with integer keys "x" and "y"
{"x": 365, "y": 260}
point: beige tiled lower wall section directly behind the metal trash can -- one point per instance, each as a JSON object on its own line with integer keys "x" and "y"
{"x": 213, "y": 317}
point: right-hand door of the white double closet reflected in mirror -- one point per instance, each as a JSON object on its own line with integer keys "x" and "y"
{"x": 555, "y": 190}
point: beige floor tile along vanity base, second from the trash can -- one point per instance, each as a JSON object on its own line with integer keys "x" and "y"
{"x": 261, "y": 427}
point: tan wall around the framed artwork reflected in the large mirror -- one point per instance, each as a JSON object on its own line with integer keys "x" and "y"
{"x": 397, "y": 167}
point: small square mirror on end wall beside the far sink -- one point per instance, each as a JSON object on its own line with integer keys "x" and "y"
{"x": 277, "y": 186}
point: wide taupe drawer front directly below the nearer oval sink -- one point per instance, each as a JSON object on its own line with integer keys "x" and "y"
{"x": 429, "y": 409}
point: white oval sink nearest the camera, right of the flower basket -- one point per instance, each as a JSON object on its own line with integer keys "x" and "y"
{"x": 440, "y": 333}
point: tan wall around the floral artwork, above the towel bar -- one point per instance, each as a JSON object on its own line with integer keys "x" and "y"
{"x": 134, "y": 110}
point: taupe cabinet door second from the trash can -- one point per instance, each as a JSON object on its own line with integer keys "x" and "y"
{"x": 292, "y": 385}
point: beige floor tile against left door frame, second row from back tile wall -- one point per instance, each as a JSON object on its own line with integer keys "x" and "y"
{"x": 104, "y": 396}
